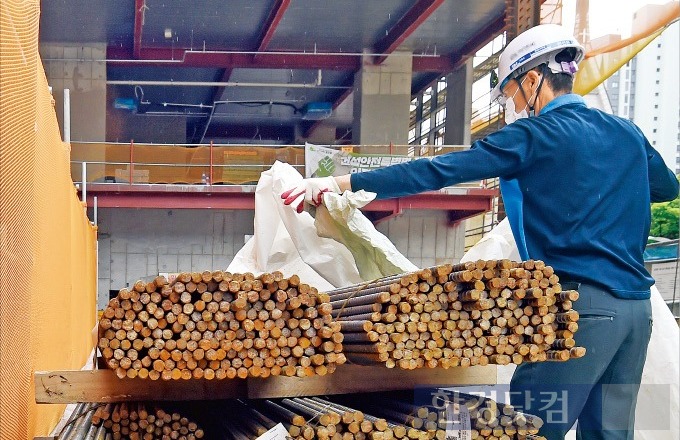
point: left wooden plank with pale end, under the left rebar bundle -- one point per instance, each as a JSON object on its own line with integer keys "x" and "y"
{"x": 104, "y": 386}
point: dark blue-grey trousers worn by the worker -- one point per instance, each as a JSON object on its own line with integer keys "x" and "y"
{"x": 599, "y": 389}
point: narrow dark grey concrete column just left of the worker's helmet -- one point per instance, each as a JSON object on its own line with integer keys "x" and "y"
{"x": 459, "y": 105}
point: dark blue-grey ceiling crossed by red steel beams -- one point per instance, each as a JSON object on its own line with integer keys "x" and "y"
{"x": 267, "y": 42}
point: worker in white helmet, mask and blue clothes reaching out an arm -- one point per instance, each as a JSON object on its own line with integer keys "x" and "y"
{"x": 577, "y": 185}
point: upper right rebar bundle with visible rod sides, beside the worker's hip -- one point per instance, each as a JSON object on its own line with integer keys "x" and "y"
{"x": 476, "y": 313}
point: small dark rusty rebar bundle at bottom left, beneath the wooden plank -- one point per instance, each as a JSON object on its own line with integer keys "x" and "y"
{"x": 144, "y": 421}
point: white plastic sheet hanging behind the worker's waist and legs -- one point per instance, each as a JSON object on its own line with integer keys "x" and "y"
{"x": 658, "y": 403}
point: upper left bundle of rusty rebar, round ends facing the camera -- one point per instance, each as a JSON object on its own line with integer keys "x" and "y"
{"x": 218, "y": 325}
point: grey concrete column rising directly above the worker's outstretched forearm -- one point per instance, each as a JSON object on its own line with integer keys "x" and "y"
{"x": 381, "y": 102}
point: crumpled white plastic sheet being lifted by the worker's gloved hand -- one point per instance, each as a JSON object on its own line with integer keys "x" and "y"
{"x": 287, "y": 241}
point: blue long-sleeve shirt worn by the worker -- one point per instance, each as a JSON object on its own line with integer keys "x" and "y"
{"x": 577, "y": 185}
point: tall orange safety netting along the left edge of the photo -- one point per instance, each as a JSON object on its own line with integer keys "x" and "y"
{"x": 47, "y": 245}
